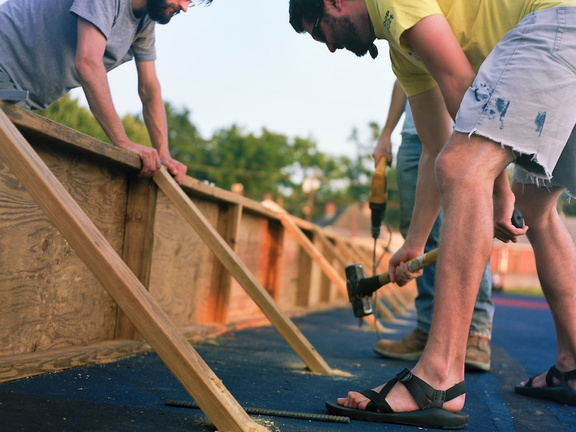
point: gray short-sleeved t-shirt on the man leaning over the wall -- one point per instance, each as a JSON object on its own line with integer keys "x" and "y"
{"x": 38, "y": 42}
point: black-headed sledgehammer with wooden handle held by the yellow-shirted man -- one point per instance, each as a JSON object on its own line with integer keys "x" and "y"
{"x": 360, "y": 288}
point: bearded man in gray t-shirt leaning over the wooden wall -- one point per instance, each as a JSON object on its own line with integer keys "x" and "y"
{"x": 49, "y": 47}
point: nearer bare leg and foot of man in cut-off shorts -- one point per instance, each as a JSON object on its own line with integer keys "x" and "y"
{"x": 466, "y": 170}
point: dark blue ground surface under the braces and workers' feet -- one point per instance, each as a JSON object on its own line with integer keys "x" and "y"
{"x": 261, "y": 371}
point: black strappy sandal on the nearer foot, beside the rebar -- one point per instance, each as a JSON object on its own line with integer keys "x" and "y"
{"x": 429, "y": 400}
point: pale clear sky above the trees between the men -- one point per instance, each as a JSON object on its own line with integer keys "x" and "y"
{"x": 240, "y": 62}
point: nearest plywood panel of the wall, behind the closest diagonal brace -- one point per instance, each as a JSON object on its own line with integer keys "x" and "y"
{"x": 48, "y": 298}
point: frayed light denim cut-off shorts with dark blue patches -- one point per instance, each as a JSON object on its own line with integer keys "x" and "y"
{"x": 524, "y": 98}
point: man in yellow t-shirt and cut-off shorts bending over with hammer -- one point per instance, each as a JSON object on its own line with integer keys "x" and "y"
{"x": 505, "y": 72}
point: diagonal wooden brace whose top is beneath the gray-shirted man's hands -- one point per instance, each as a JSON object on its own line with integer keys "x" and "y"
{"x": 241, "y": 273}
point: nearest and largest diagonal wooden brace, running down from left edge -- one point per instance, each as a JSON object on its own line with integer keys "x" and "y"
{"x": 123, "y": 286}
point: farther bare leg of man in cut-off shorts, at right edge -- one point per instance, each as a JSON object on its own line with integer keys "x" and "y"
{"x": 555, "y": 254}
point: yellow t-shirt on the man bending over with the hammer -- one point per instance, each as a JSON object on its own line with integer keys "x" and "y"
{"x": 478, "y": 26}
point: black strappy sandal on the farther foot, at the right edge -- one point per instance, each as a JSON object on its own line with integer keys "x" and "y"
{"x": 560, "y": 393}
